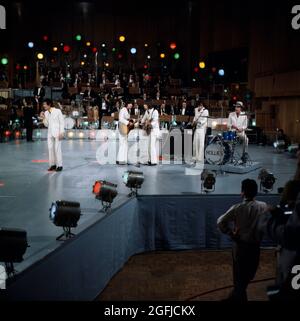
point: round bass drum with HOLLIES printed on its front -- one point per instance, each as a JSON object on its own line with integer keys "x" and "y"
{"x": 218, "y": 153}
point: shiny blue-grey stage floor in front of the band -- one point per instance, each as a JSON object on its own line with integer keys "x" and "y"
{"x": 27, "y": 189}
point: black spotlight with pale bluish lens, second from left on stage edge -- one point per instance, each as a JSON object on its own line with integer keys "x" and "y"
{"x": 65, "y": 214}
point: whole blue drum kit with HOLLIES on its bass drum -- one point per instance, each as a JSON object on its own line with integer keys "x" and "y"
{"x": 221, "y": 149}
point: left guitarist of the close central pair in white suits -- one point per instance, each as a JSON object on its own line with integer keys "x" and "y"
{"x": 124, "y": 121}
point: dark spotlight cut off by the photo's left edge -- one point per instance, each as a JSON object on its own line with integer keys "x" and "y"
{"x": 13, "y": 245}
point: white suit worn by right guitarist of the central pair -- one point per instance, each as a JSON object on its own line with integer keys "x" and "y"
{"x": 152, "y": 114}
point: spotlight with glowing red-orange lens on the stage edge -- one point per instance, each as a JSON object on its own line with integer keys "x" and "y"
{"x": 106, "y": 192}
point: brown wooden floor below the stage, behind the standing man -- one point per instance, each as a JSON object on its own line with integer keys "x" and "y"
{"x": 184, "y": 275}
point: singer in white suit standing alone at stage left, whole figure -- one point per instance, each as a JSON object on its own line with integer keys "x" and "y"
{"x": 53, "y": 119}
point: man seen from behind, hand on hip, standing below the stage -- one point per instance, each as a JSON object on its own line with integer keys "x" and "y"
{"x": 240, "y": 223}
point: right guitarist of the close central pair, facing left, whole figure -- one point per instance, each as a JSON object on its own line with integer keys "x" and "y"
{"x": 150, "y": 122}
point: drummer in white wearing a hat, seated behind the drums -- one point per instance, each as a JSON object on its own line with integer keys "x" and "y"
{"x": 238, "y": 122}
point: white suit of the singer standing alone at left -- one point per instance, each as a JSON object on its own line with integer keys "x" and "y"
{"x": 54, "y": 120}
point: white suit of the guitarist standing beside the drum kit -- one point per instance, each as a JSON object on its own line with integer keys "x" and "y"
{"x": 199, "y": 137}
